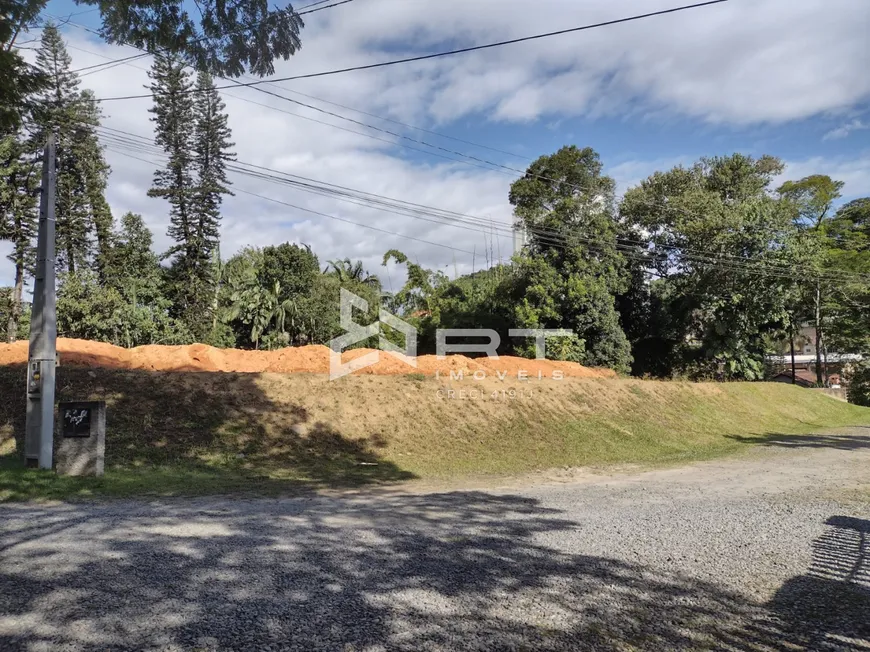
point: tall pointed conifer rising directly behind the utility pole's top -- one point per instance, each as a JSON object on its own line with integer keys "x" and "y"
{"x": 72, "y": 116}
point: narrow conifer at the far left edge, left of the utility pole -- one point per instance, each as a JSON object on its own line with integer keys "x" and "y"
{"x": 19, "y": 182}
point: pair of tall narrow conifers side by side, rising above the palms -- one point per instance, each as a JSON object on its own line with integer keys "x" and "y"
{"x": 191, "y": 127}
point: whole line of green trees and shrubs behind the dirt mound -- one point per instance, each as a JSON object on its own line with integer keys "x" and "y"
{"x": 698, "y": 271}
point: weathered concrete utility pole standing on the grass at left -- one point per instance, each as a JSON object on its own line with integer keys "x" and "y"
{"x": 39, "y": 433}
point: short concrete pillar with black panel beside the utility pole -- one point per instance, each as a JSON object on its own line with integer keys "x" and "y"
{"x": 81, "y": 447}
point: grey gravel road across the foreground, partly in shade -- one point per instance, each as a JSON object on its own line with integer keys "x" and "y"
{"x": 768, "y": 552}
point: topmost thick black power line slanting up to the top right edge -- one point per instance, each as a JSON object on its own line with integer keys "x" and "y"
{"x": 443, "y": 54}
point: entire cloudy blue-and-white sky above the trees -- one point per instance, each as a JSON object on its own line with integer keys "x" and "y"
{"x": 781, "y": 77}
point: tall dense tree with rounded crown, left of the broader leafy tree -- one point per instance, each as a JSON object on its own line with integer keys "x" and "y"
{"x": 573, "y": 285}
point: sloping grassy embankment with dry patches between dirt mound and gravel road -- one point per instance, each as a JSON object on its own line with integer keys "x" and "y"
{"x": 183, "y": 433}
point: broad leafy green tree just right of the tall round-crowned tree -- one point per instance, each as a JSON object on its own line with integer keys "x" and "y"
{"x": 716, "y": 314}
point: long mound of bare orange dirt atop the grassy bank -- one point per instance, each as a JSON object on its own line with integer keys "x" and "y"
{"x": 303, "y": 359}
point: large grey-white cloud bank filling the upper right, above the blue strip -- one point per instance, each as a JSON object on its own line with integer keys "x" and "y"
{"x": 739, "y": 63}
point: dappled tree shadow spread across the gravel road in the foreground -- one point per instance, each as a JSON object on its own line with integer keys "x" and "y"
{"x": 468, "y": 571}
